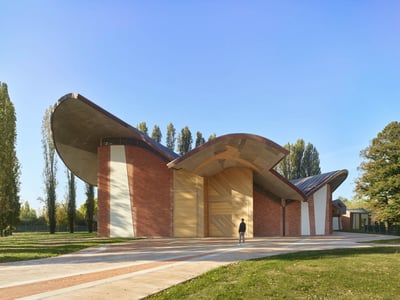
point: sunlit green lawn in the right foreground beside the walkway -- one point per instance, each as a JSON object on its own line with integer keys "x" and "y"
{"x": 362, "y": 273}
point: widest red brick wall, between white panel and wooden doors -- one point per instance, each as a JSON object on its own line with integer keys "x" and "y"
{"x": 152, "y": 199}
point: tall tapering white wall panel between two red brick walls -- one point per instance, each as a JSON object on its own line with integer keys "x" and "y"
{"x": 121, "y": 223}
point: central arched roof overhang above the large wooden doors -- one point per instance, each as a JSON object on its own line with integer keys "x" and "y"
{"x": 241, "y": 150}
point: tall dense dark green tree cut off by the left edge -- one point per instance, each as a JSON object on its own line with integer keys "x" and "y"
{"x": 9, "y": 165}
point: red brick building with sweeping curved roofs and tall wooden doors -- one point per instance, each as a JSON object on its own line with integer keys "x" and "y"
{"x": 147, "y": 190}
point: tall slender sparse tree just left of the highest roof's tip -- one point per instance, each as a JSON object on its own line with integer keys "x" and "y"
{"x": 50, "y": 169}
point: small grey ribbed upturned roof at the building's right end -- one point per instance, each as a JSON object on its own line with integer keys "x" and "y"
{"x": 311, "y": 184}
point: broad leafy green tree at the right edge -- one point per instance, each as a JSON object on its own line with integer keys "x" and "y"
{"x": 379, "y": 183}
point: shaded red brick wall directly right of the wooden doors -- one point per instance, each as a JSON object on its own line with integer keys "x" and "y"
{"x": 267, "y": 216}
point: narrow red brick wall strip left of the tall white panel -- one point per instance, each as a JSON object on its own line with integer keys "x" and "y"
{"x": 103, "y": 191}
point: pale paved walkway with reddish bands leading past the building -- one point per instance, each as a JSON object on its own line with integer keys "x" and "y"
{"x": 140, "y": 268}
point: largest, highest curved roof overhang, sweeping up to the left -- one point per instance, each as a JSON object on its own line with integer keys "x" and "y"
{"x": 78, "y": 126}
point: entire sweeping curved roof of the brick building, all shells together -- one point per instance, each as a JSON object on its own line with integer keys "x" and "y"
{"x": 79, "y": 125}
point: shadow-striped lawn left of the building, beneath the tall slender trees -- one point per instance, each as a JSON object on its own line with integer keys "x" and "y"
{"x": 32, "y": 245}
